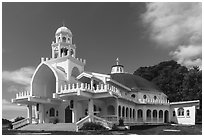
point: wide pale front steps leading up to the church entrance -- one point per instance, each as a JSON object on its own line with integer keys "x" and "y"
{"x": 50, "y": 127}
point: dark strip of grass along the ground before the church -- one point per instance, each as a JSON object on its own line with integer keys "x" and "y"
{"x": 140, "y": 130}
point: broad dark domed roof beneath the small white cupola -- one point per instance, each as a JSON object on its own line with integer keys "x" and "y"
{"x": 134, "y": 82}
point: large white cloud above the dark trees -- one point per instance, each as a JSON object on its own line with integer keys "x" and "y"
{"x": 178, "y": 26}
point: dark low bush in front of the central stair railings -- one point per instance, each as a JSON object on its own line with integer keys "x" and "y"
{"x": 92, "y": 126}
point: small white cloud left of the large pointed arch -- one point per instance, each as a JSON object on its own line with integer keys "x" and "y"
{"x": 21, "y": 76}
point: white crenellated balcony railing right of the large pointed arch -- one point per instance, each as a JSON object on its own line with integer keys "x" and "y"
{"x": 87, "y": 87}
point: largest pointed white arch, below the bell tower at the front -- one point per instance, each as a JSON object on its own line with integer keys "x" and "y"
{"x": 43, "y": 82}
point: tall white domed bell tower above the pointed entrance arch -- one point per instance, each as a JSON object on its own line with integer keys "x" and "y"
{"x": 63, "y": 45}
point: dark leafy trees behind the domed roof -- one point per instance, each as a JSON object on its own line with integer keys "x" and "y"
{"x": 177, "y": 82}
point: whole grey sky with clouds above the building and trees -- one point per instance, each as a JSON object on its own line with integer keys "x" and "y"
{"x": 139, "y": 34}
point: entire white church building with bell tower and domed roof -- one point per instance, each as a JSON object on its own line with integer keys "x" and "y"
{"x": 62, "y": 91}
